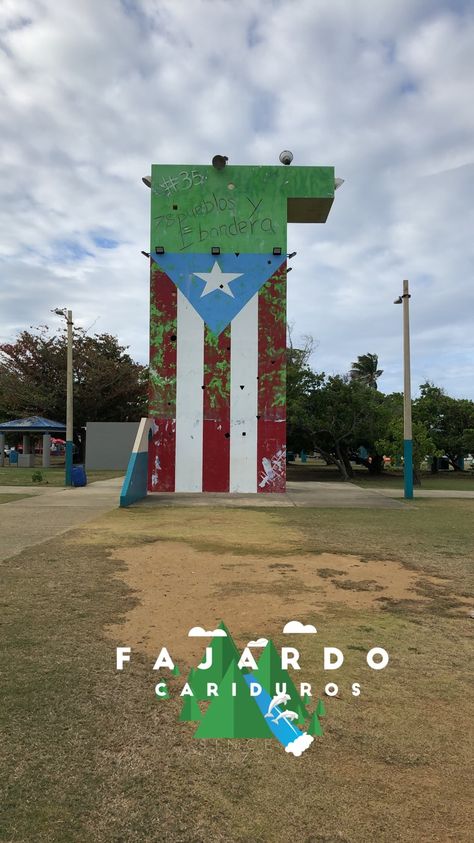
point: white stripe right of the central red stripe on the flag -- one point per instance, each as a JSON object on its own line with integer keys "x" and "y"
{"x": 243, "y": 402}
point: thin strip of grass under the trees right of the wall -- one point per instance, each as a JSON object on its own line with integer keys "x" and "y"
{"x": 443, "y": 480}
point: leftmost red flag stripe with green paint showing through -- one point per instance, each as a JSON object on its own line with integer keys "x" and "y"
{"x": 163, "y": 337}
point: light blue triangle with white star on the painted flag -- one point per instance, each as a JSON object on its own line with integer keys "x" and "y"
{"x": 218, "y": 286}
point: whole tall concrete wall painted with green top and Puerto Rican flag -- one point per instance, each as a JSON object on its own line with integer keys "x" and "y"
{"x": 218, "y": 321}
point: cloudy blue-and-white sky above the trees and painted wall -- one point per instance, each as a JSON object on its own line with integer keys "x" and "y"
{"x": 92, "y": 92}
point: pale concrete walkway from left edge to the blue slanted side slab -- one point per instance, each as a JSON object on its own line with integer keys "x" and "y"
{"x": 51, "y": 511}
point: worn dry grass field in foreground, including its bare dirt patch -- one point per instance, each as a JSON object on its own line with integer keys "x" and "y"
{"x": 89, "y": 754}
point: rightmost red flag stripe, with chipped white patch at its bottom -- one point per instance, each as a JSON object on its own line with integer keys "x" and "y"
{"x": 271, "y": 437}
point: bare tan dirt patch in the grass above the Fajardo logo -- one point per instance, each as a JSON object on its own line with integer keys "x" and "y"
{"x": 178, "y": 586}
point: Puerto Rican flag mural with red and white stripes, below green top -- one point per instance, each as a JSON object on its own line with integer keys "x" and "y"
{"x": 217, "y": 373}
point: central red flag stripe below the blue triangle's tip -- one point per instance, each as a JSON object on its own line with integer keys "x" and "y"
{"x": 216, "y": 417}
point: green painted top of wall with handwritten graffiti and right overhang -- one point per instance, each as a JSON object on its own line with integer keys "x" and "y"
{"x": 240, "y": 208}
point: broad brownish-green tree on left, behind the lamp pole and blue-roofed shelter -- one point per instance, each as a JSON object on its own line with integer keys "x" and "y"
{"x": 108, "y": 384}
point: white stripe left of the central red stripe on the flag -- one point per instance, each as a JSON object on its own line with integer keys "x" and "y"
{"x": 189, "y": 398}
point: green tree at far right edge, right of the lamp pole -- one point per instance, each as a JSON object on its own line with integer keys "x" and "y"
{"x": 448, "y": 420}
